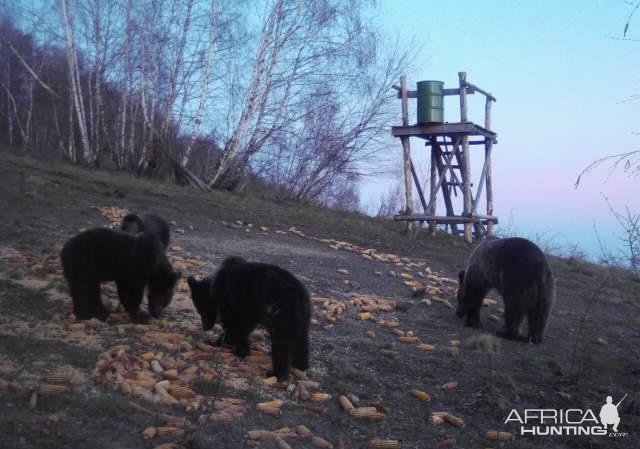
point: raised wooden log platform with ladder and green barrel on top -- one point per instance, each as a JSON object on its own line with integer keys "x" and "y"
{"x": 450, "y": 166}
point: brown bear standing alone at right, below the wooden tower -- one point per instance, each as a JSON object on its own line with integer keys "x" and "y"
{"x": 520, "y": 272}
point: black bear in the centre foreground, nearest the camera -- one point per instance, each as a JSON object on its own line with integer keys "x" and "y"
{"x": 244, "y": 294}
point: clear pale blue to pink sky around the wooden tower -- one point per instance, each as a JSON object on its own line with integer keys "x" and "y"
{"x": 561, "y": 77}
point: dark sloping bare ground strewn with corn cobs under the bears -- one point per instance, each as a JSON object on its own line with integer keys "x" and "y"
{"x": 591, "y": 349}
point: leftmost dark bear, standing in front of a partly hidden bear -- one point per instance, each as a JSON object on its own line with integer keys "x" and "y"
{"x": 101, "y": 254}
